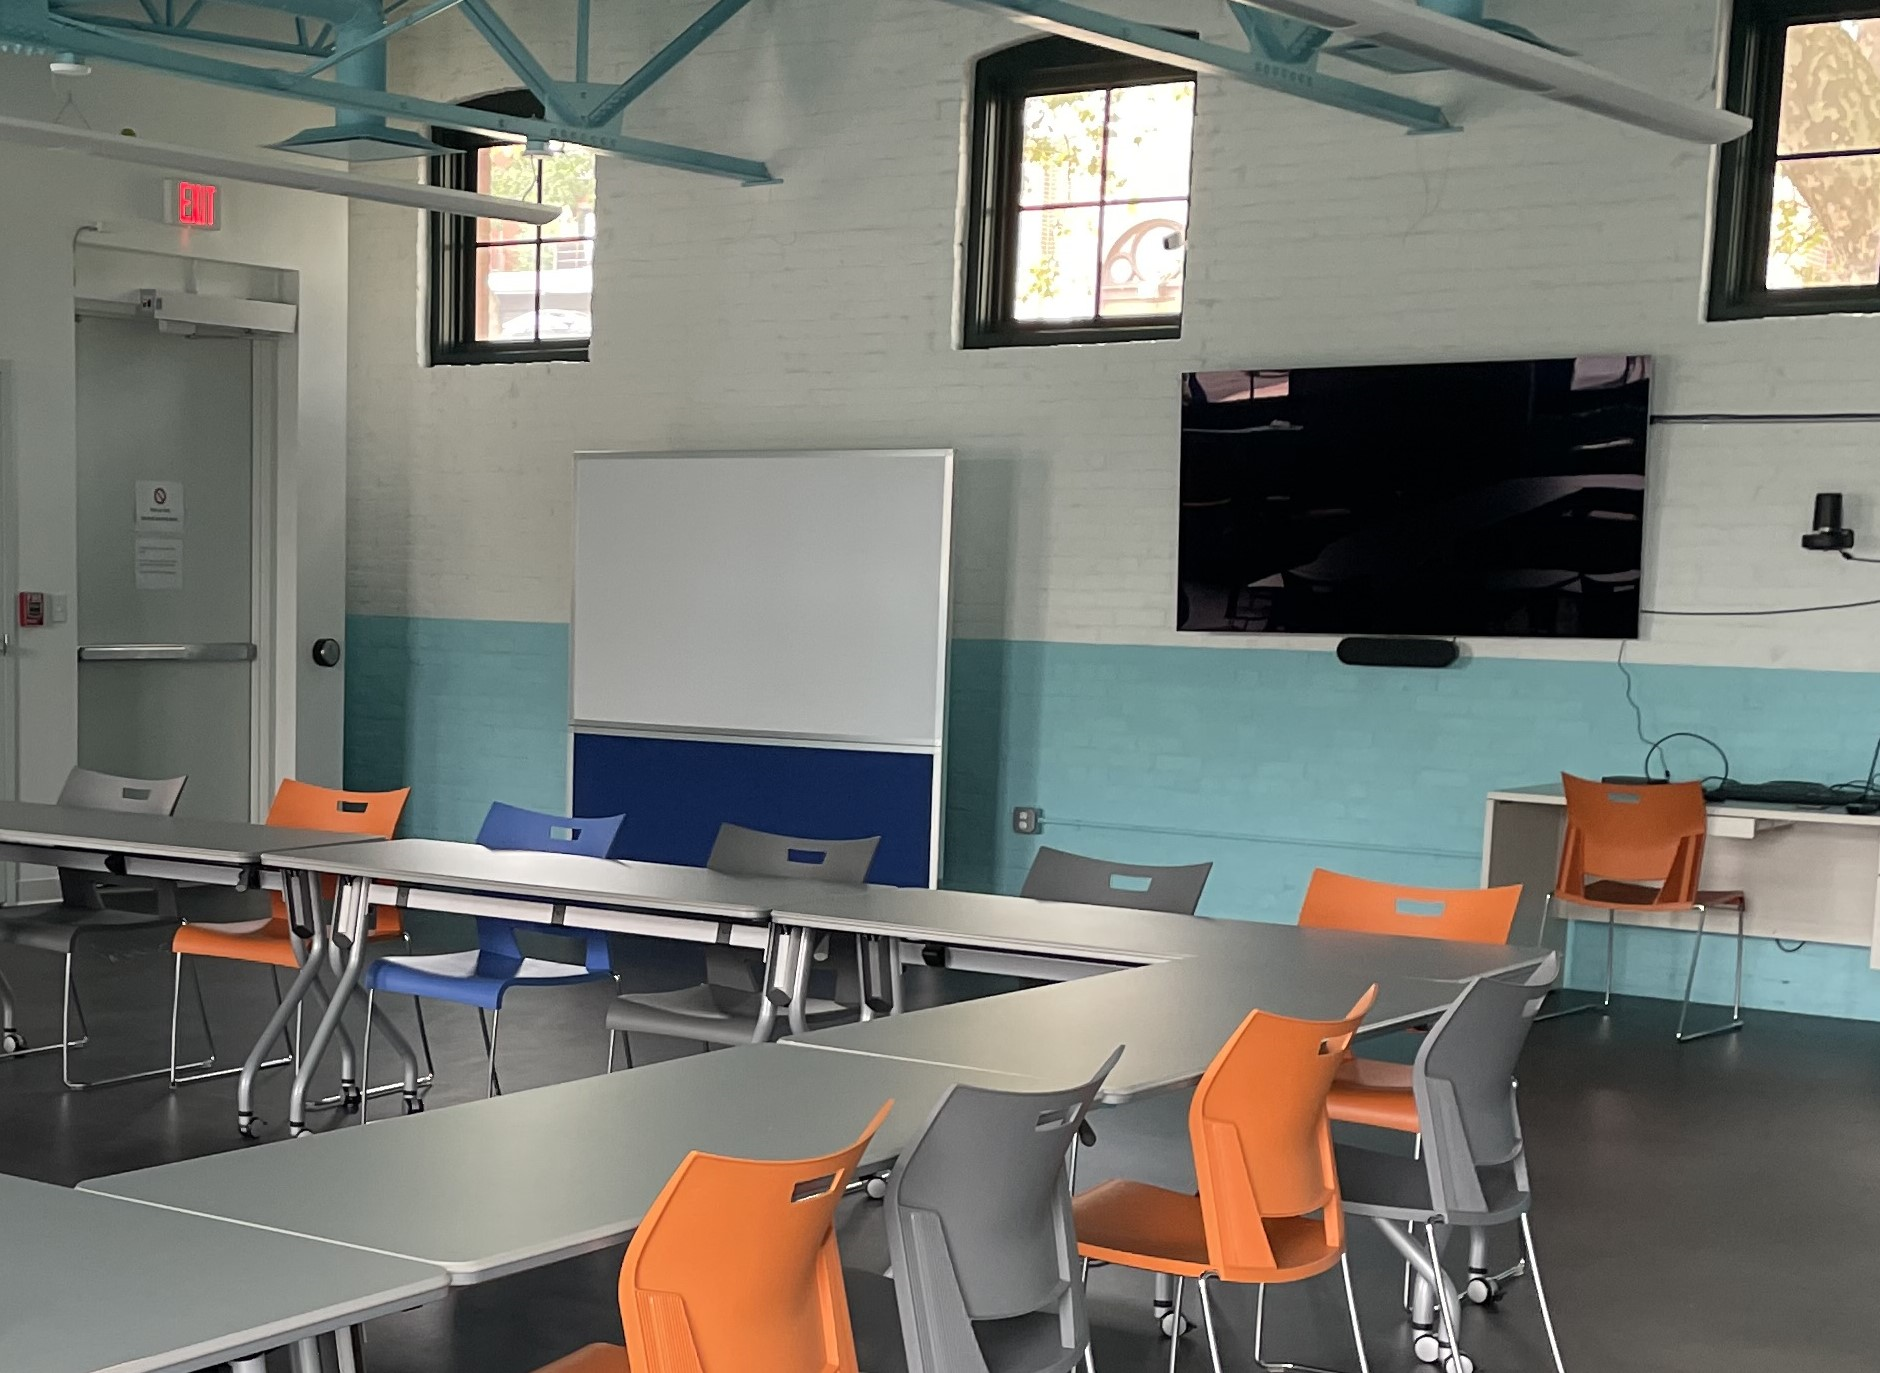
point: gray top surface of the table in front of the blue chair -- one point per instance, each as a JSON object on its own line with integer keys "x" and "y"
{"x": 565, "y": 879}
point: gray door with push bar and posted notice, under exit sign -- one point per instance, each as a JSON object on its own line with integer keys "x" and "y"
{"x": 170, "y": 618}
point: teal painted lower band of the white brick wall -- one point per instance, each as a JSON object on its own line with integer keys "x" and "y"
{"x": 1266, "y": 763}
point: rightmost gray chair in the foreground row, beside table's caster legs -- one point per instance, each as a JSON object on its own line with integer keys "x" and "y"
{"x": 1473, "y": 1169}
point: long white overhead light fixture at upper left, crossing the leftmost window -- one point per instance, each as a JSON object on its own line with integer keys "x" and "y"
{"x": 294, "y": 176}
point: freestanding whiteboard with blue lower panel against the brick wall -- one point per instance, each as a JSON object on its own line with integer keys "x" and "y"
{"x": 791, "y": 603}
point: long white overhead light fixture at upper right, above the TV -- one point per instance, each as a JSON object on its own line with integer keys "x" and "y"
{"x": 1509, "y": 61}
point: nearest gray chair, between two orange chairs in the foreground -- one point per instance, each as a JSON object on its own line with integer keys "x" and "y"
{"x": 980, "y": 1240}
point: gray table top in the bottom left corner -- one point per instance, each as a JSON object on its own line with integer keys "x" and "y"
{"x": 99, "y": 1286}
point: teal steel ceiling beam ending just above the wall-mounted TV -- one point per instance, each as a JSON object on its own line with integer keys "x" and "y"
{"x": 1214, "y": 59}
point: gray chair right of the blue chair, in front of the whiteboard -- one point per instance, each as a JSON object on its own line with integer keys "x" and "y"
{"x": 727, "y": 1003}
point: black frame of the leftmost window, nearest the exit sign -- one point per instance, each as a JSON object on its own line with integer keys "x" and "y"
{"x": 452, "y": 253}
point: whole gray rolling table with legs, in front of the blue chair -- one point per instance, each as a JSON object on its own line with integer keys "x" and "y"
{"x": 604, "y": 894}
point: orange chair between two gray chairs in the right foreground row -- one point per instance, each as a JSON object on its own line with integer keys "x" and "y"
{"x": 1268, "y": 1203}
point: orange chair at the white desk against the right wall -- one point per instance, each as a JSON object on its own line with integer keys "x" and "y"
{"x": 1640, "y": 849}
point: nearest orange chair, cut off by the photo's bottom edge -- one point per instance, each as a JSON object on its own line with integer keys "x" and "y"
{"x": 736, "y": 1270}
